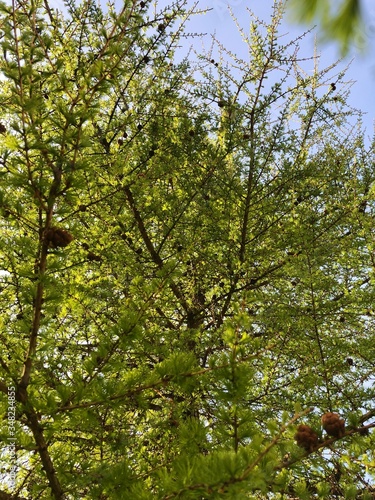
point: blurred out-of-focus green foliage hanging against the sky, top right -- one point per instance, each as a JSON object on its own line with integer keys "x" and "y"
{"x": 342, "y": 25}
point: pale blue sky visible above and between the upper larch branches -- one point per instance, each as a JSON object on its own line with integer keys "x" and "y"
{"x": 361, "y": 71}
